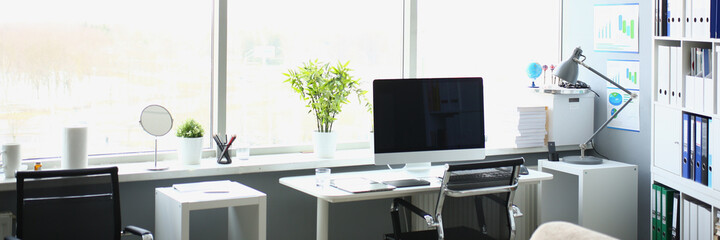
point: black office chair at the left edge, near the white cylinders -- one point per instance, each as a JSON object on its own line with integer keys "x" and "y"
{"x": 70, "y": 204}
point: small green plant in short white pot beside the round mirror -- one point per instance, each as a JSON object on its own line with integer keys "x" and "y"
{"x": 190, "y": 135}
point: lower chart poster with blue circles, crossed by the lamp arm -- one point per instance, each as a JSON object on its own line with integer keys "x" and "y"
{"x": 624, "y": 73}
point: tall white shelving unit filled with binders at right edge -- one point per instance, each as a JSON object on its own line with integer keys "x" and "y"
{"x": 667, "y": 113}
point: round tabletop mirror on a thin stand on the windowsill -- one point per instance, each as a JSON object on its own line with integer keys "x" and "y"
{"x": 157, "y": 121}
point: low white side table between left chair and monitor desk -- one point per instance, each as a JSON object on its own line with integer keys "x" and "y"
{"x": 247, "y": 207}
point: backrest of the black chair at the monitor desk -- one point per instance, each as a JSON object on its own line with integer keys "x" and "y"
{"x": 496, "y": 180}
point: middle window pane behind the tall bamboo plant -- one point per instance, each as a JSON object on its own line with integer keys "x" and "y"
{"x": 266, "y": 38}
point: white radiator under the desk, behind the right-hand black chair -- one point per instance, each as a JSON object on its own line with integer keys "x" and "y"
{"x": 456, "y": 210}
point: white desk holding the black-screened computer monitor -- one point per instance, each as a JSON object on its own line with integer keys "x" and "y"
{"x": 328, "y": 195}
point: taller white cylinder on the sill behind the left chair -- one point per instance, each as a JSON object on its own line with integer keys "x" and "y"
{"x": 74, "y": 154}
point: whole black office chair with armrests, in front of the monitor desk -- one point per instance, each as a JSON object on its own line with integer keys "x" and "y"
{"x": 492, "y": 184}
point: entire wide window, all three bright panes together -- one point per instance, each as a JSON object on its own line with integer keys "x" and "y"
{"x": 101, "y": 63}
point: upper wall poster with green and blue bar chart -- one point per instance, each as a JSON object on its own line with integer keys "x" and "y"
{"x": 616, "y": 27}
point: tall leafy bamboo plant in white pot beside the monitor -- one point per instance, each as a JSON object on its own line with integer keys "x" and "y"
{"x": 326, "y": 89}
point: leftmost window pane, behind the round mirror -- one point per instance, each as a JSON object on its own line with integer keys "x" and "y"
{"x": 99, "y": 63}
